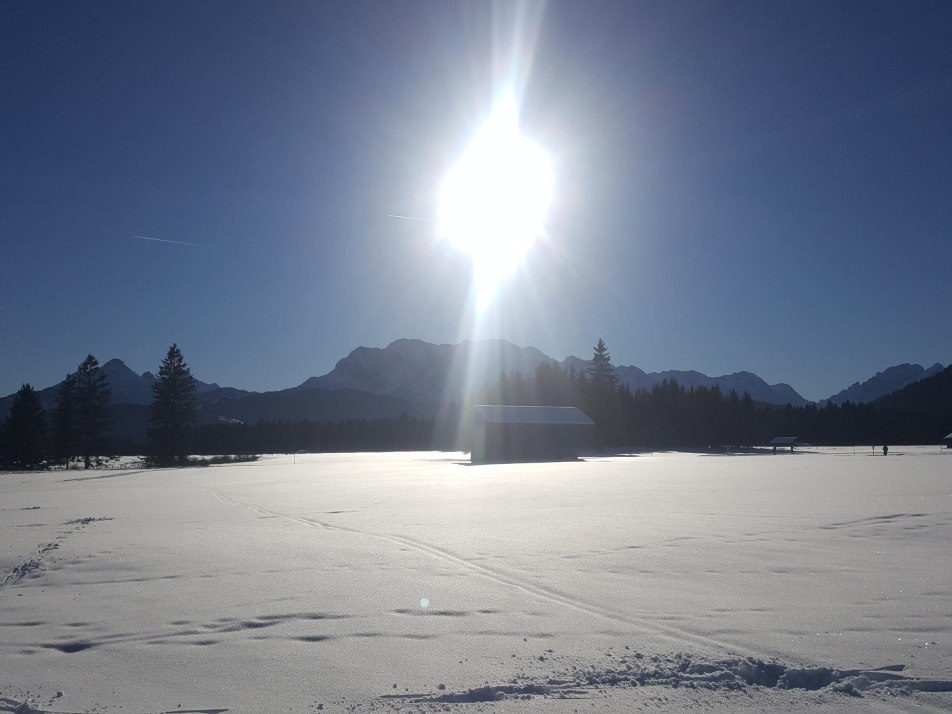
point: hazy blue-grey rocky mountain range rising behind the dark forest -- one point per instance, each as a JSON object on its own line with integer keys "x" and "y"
{"x": 416, "y": 377}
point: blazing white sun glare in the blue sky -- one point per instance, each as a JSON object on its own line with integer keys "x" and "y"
{"x": 494, "y": 201}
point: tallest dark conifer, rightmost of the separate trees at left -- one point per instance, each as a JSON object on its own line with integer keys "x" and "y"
{"x": 173, "y": 410}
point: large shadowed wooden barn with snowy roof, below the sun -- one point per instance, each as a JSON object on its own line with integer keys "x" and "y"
{"x": 523, "y": 433}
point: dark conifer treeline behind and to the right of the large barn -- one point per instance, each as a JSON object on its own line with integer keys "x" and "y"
{"x": 672, "y": 416}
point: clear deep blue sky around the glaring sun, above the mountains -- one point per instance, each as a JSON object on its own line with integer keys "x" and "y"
{"x": 762, "y": 186}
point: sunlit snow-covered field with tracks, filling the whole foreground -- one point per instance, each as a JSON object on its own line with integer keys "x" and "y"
{"x": 363, "y": 582}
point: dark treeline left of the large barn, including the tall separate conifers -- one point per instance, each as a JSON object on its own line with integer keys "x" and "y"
{"x": 78, "y": 429}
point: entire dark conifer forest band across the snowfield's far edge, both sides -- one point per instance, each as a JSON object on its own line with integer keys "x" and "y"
{"x": 668, "y": 416}
